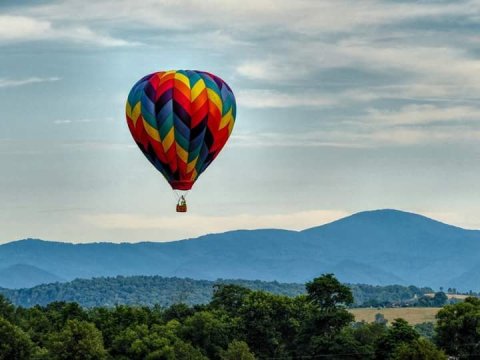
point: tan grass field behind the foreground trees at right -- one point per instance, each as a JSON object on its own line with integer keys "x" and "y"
{"x": 412, "y": 315}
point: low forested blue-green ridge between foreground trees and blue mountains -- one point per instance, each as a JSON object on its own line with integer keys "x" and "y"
{"x": 157, "y": 290}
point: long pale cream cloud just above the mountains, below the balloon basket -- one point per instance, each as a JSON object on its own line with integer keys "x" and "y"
{"x": 195, "y": 225}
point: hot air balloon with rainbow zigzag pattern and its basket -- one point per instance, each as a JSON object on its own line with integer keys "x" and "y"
{"x": 181, "y": 120}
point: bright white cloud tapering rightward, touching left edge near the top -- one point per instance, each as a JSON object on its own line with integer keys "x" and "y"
{"x": 15, "y": 28}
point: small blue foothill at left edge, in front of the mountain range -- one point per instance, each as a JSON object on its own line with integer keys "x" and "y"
{"x": 24, "y": 276}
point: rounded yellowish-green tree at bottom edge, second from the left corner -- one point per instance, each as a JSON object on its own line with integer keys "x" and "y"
{"x": 78, "y": 340}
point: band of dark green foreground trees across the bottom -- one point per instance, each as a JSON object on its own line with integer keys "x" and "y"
{"x": 238, "y": 323}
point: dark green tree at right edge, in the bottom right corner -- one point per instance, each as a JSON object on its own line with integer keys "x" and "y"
{"x": 458, "y": 328}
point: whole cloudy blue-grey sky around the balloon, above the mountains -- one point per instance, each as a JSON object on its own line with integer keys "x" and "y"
{"x": 342, "y": 106}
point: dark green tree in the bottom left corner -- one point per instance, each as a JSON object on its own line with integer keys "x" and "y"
{"x": 14, "y": 343}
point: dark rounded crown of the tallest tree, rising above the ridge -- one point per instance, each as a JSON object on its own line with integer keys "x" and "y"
{"x": 328, "y": 293}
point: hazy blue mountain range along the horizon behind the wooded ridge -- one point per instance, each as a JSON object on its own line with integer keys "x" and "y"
{"x": 374, "y": 247}
